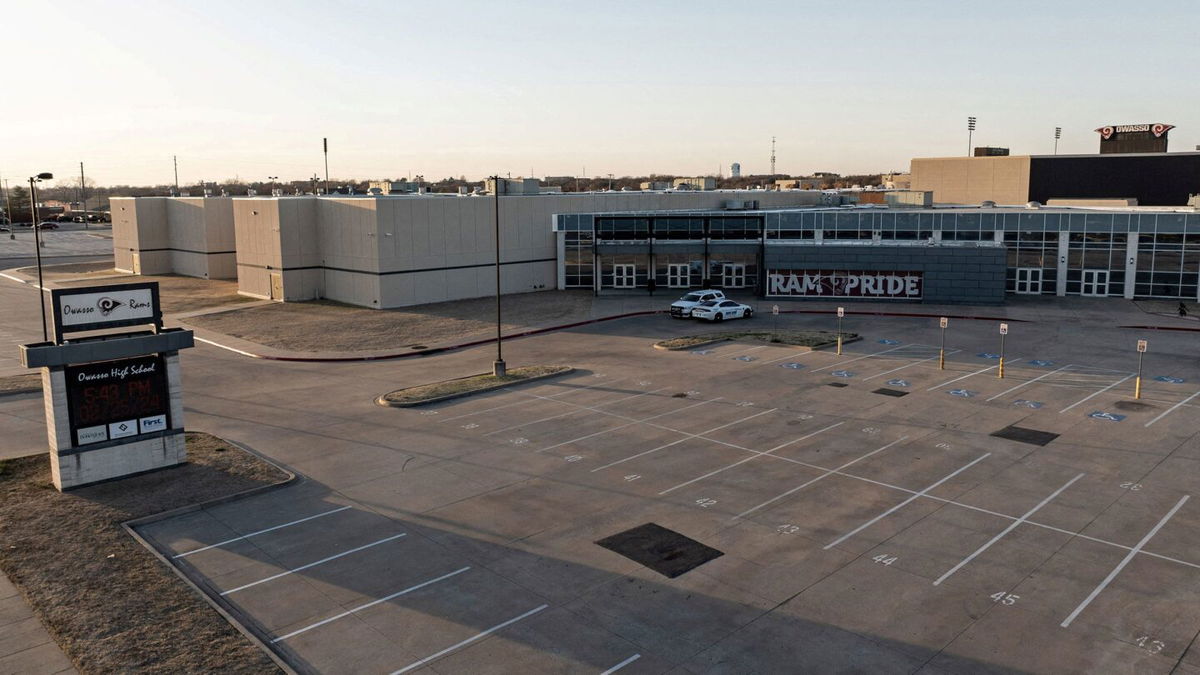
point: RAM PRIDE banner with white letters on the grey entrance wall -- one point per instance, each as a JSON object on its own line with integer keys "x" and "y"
{"x": 844, "y": 284}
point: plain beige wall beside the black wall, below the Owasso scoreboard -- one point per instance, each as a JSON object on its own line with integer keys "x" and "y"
{"x": 971, "y": 181}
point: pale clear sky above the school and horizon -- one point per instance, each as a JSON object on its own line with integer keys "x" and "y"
{"x": 401, "y": 88}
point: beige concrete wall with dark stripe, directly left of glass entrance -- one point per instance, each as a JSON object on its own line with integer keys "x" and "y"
{"x": 397, "y": 252}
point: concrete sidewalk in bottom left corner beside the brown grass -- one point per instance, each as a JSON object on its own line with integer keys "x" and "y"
{"x": 26, "y": 647}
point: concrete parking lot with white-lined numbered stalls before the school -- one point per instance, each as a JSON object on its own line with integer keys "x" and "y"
{"x": 867, "y": 512}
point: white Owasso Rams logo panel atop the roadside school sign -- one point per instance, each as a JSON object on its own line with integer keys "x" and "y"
{"x": 97, "y": 308}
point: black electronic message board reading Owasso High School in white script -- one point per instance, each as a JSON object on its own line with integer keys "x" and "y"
{"x": 110, "y": 401}
